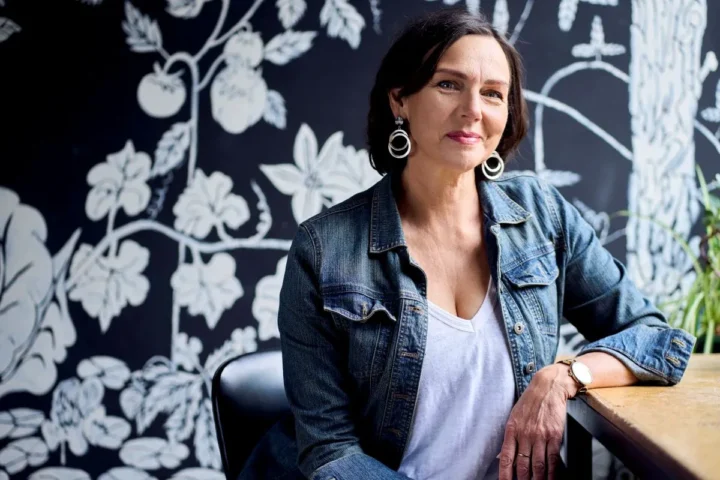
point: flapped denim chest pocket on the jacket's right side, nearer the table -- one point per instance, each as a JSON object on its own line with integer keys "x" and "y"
{"x": 532, "y": 285}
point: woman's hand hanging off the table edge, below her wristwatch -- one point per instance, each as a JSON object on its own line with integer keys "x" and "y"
{"x": 534, "y": 431}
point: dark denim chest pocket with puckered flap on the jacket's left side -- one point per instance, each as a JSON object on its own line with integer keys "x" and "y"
{"x": 369, "y": 323}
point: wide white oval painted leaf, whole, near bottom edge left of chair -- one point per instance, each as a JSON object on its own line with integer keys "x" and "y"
{"x": 149, "y": 453}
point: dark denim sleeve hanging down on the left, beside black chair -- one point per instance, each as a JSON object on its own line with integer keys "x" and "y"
{"x": 315, "y": 381}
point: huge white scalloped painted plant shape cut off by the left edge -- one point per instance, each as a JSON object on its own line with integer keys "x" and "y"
{"x": 34, "y": 333}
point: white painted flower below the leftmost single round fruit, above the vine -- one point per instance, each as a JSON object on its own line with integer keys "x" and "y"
{"x": 121, "y": 181}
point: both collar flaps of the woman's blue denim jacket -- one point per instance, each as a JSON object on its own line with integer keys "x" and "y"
{"x": 386, "y": 228}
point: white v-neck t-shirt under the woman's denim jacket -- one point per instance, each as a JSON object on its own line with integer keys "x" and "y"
{"x": 465, "y": 396}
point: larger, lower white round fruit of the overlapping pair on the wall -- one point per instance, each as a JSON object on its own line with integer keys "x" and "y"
{"x": 238, "y": 95}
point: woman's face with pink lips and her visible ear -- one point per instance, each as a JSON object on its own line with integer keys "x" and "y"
{"x": 458, "y": 118}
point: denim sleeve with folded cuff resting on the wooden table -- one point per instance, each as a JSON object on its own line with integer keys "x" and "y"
{"x": 609, "y": 310}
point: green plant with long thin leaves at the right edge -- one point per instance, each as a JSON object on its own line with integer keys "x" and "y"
{"x": 698, "y": 312}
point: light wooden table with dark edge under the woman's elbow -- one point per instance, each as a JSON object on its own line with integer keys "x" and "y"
{"x": 657, "y": 432}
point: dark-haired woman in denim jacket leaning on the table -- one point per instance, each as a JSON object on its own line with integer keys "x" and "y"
{"x": 419, "y": 320}
